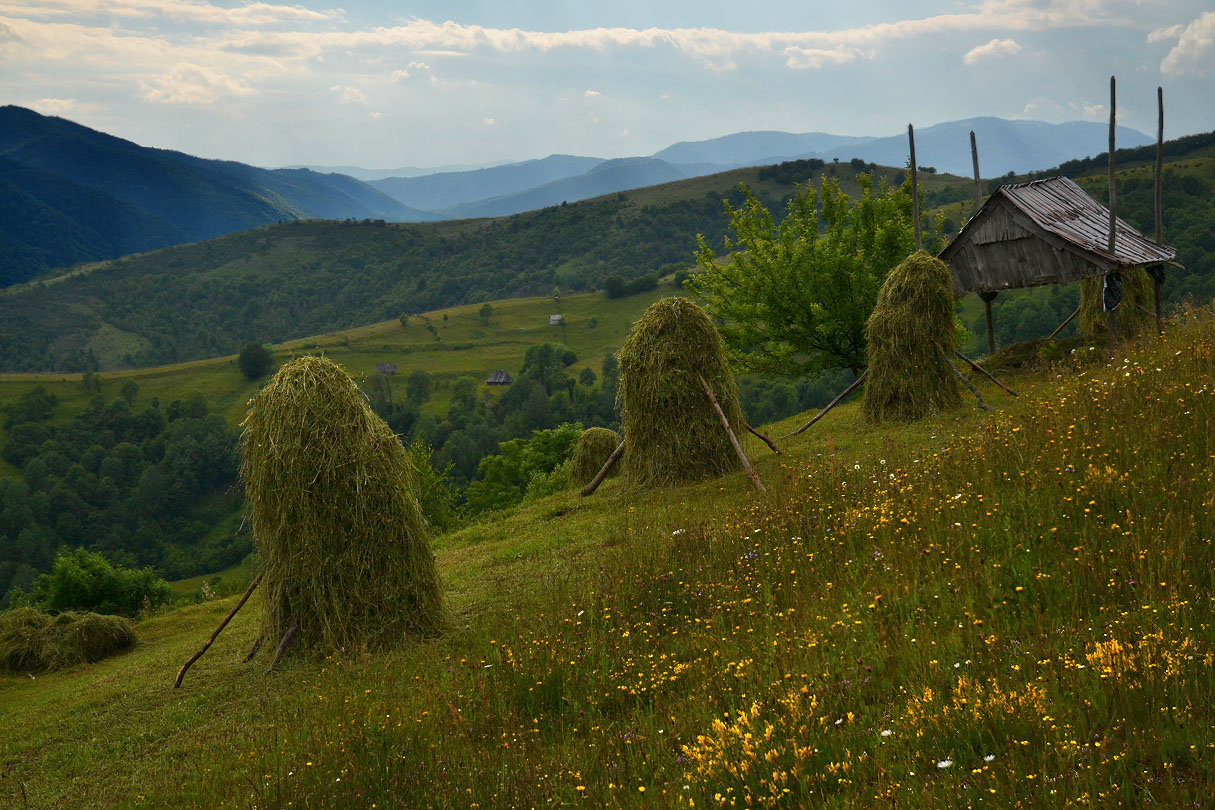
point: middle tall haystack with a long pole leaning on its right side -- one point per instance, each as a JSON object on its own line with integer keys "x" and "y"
{"x": 673, "y": 435}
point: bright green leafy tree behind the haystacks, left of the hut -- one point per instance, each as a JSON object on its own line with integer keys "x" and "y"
{"x": 795, "y": 297}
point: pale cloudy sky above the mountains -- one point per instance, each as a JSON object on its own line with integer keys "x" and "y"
{"x": 382, "y": 86}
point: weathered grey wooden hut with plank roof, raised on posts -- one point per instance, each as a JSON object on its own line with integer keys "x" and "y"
{"x": 1044, "y": 233}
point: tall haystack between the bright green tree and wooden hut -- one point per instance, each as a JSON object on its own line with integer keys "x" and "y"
{"x": 914, "y": 314}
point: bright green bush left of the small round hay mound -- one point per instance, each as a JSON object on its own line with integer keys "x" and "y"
{"x": 504, "y": 480}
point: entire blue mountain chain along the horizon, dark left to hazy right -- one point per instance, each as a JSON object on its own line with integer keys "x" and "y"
{"x": 70, "y": 194}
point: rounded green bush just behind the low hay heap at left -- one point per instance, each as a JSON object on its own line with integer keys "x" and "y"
{"x": 86, "y": 581}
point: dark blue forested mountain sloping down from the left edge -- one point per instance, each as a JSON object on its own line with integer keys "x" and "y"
{"x": 70, "y": 194}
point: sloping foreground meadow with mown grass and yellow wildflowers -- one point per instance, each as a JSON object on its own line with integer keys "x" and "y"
{"x": 1008, "y": 609}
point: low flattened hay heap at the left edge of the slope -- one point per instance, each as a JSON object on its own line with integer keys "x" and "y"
{"x": 33, "y": 642}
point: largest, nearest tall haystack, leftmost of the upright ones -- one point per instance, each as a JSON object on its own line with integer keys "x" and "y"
{"x": 336, "y": 518}
